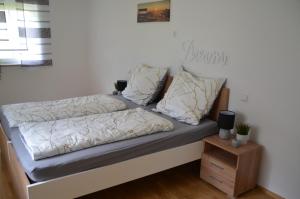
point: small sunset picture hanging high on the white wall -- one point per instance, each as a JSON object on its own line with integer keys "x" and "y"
{"x": 158, "y": 11}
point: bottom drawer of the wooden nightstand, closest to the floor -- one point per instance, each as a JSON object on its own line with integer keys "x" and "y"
{"x": 216, "y": 180}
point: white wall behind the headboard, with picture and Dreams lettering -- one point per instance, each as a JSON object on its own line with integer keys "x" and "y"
{"x": 260, "y": 36}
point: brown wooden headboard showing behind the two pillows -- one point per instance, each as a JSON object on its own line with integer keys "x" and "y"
{"x": 220, "y": 104}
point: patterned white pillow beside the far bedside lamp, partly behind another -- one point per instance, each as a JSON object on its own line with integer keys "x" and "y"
{"x": 144, "y": 84}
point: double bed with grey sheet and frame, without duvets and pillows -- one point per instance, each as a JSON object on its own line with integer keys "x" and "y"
{"x": 97, "y": 168}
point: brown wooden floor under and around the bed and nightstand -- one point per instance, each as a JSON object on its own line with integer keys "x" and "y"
{"x": 178, "y": 183}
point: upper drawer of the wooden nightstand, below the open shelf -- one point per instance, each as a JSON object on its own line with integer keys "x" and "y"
{"x": 218, "y": 167}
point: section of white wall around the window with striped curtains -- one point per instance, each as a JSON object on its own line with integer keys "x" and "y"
{"x": 69, "y": 75}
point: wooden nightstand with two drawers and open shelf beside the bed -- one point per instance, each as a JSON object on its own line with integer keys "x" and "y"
{"x": 232, "y": 170}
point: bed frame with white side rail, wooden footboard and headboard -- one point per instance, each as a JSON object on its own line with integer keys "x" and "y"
{"x": 97, "y": 179}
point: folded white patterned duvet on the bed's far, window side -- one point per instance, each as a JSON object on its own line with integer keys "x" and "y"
{"x": 17, "y": 114}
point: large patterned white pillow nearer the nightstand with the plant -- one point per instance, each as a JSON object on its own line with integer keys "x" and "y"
{"x": 189, "y": 98}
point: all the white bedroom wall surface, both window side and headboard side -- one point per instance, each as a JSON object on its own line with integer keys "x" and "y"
{"x": 97, "y": 42}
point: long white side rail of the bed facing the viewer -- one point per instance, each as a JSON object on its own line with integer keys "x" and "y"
{"x": 104, "y": 177}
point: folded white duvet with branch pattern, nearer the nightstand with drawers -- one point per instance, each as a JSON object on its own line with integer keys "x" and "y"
{"x": 46, "y": 139}
